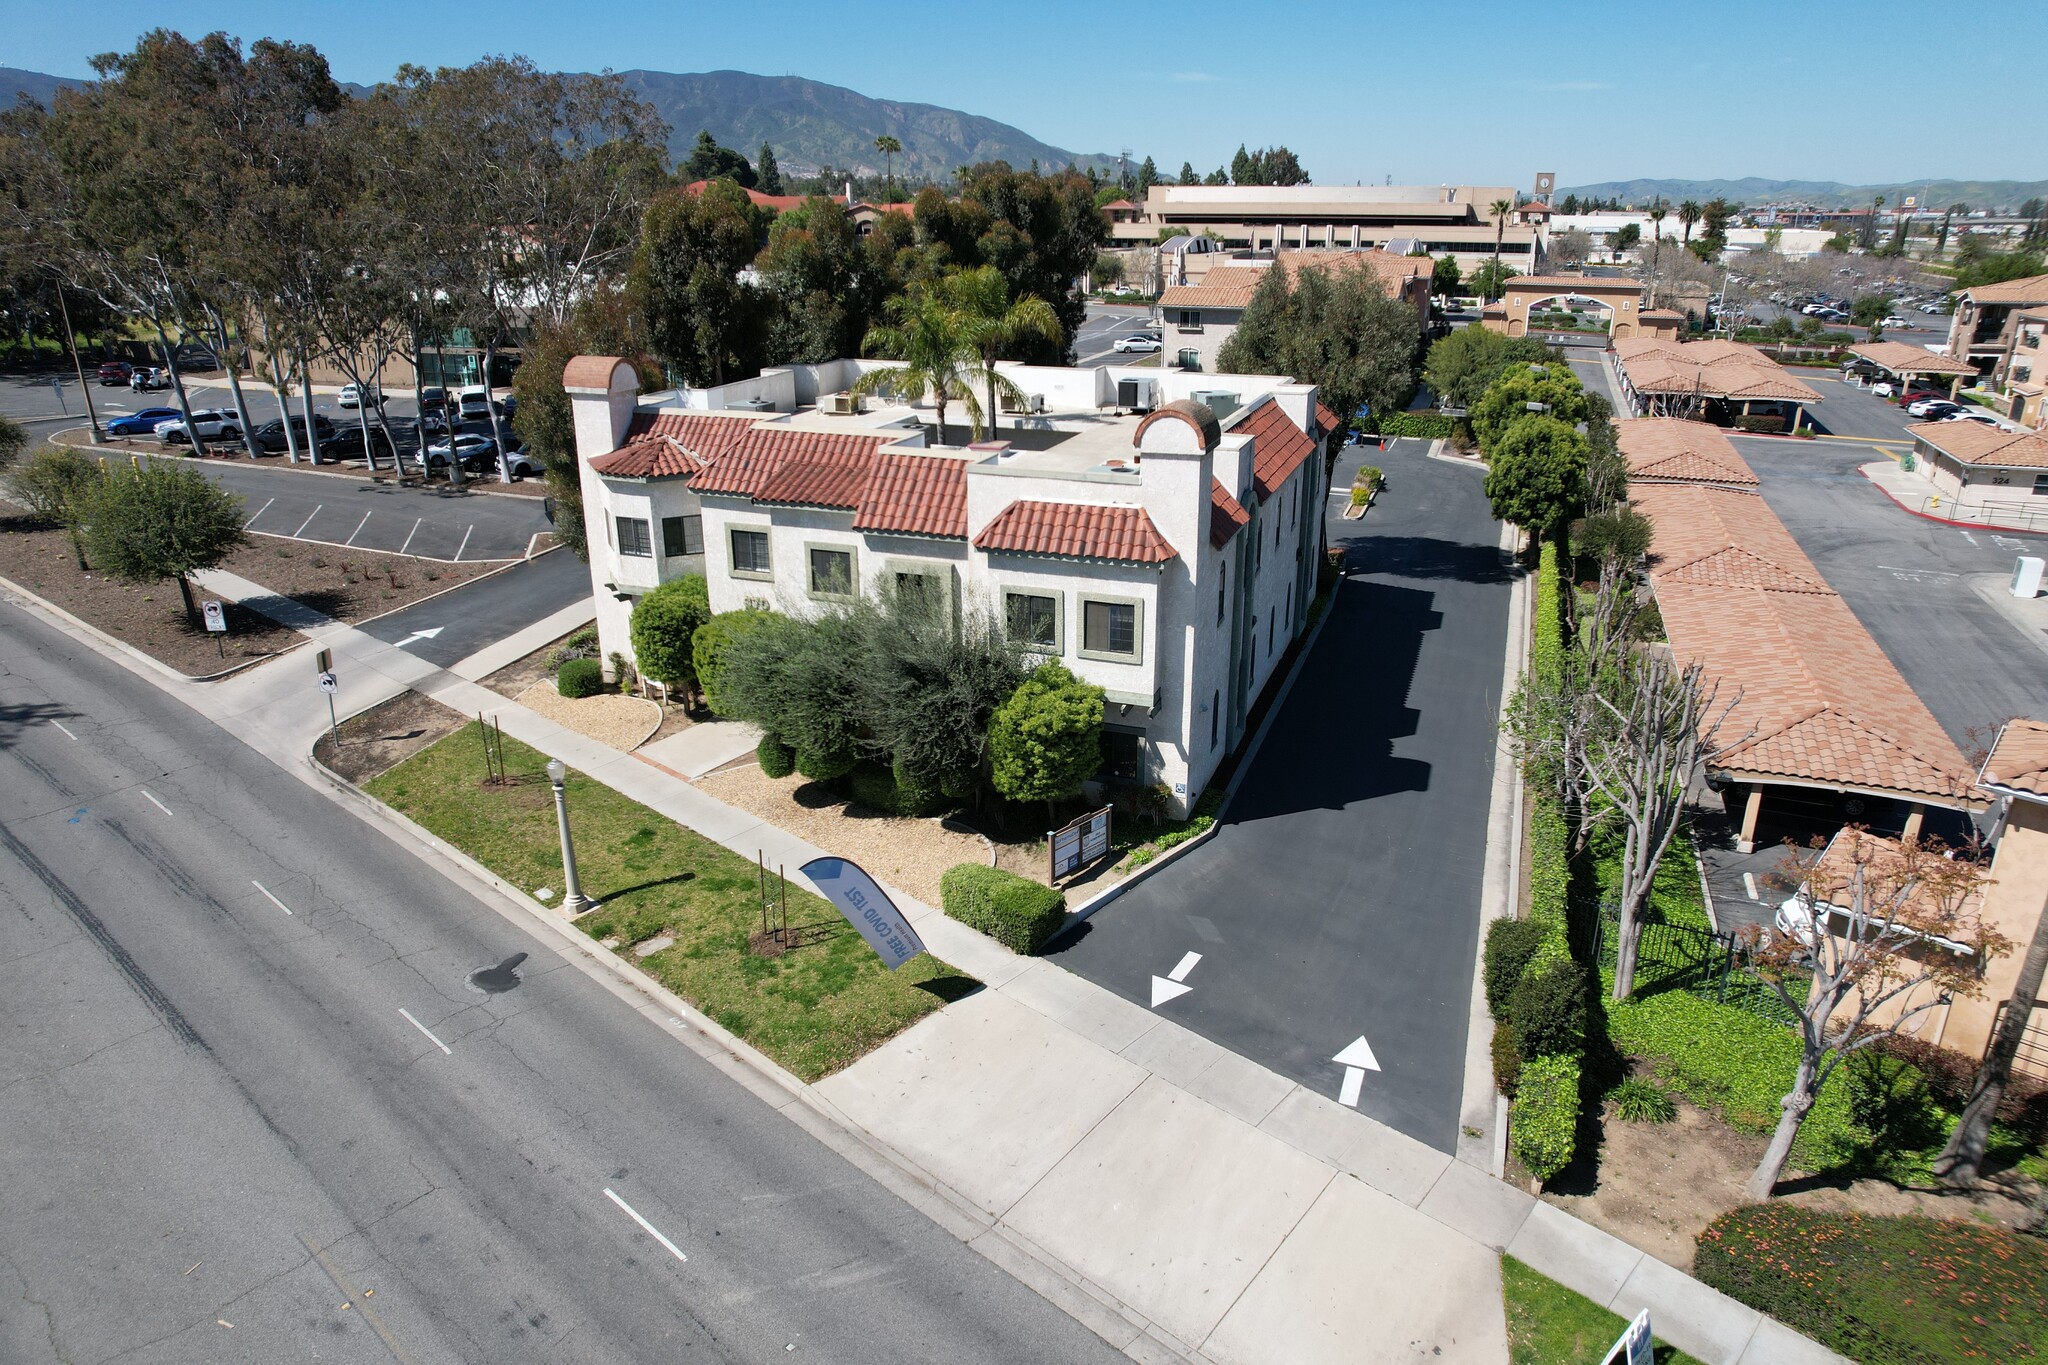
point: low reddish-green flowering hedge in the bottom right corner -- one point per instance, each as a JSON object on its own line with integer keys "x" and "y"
{"x": 1885, "y": 1290}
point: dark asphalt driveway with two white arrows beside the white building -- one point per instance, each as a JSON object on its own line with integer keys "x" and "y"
{"x": 1340, "y": 897}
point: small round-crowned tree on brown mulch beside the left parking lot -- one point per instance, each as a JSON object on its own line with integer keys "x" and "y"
{"x": 163, "y": 521}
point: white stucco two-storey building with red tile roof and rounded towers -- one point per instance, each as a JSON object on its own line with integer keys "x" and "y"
{"x": 1156, "y": 533}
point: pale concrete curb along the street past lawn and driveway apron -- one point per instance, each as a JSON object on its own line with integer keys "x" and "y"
{"x": 1091, "y": 1305}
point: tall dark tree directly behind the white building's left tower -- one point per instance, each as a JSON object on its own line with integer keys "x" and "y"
{"x": 701, "y": 318}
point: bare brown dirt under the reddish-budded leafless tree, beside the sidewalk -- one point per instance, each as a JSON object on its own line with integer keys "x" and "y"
{"x": 1658, "y": 1186}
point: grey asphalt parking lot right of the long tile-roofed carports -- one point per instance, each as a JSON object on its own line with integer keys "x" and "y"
{"x": 1910, "y": 582}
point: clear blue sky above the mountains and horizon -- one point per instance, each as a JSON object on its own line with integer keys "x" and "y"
{"x": 1478, "y": 93}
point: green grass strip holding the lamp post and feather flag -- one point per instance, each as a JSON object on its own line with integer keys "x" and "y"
{"x": 814, "y": 1010}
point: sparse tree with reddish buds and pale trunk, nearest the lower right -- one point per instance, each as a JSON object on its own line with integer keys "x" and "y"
{"x": 1883, "y": 934}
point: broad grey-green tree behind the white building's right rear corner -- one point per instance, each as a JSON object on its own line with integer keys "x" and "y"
{"x": 1330, "y": 328}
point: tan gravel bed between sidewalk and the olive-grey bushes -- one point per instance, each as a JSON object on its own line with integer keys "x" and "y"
{"x": 898, "y": 850}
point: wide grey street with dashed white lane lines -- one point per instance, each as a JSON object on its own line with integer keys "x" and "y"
{"x": 232, "y": 1131}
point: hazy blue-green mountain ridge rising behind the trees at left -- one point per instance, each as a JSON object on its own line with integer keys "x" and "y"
{"x": 806, "y": 122}
